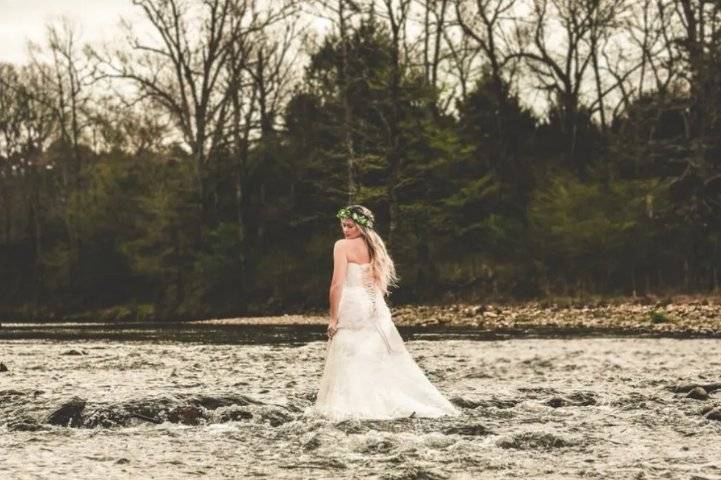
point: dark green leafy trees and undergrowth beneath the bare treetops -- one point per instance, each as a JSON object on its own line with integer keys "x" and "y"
{"x": 488, "y": 203}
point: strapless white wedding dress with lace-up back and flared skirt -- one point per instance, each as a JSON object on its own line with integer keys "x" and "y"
{"x": 368, "y": 372}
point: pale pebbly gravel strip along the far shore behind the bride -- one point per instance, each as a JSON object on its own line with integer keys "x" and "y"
{"x": 695, "y": 316}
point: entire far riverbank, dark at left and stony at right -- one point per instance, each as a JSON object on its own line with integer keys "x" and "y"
{"x": 678, "y": 315}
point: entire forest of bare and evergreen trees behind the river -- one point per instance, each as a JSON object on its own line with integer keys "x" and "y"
{"x": 510, "y": 150}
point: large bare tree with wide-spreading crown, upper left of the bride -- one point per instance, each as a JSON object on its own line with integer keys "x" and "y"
{"x": 183, "y": 69}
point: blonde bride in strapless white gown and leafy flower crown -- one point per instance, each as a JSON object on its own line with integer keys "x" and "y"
{"x": 368, "y": 372}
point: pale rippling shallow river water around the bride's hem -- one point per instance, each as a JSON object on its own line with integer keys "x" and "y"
{"x": 165, "y": 406}
